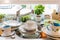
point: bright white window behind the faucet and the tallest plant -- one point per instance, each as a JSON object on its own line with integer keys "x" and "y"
{"x": 13, "y": 8}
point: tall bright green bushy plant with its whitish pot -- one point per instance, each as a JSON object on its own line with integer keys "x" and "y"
{"x": 38, "y": 10}
